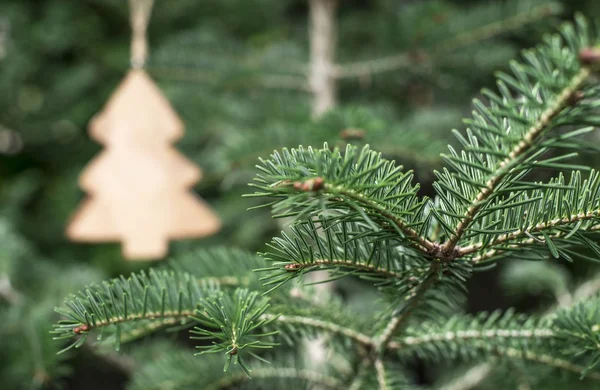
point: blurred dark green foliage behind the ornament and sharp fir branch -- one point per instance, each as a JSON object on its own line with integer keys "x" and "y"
{"x": 236, "y": 71}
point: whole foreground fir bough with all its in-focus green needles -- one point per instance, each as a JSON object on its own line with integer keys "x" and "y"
{"x": 358, "y": 214}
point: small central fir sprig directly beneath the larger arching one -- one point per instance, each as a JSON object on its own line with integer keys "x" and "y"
{"x": 345, "y": 248}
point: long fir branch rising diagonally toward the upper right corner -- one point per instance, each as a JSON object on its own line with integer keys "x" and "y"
{"x": 506, "y": 138}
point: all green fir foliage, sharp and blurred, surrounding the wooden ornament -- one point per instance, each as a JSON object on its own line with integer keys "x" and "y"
{"x": 403, "y": 255}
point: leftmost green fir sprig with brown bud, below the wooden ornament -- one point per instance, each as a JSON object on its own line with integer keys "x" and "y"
{"x": 164, "y": 297}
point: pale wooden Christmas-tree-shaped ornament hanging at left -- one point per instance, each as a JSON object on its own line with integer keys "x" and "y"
{"x": 140, "y": 186}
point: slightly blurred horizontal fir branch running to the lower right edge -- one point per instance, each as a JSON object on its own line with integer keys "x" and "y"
{"x": 512, "y": 336}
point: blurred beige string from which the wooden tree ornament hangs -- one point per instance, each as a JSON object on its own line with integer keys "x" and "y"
{"x": 139, "y": 17}
